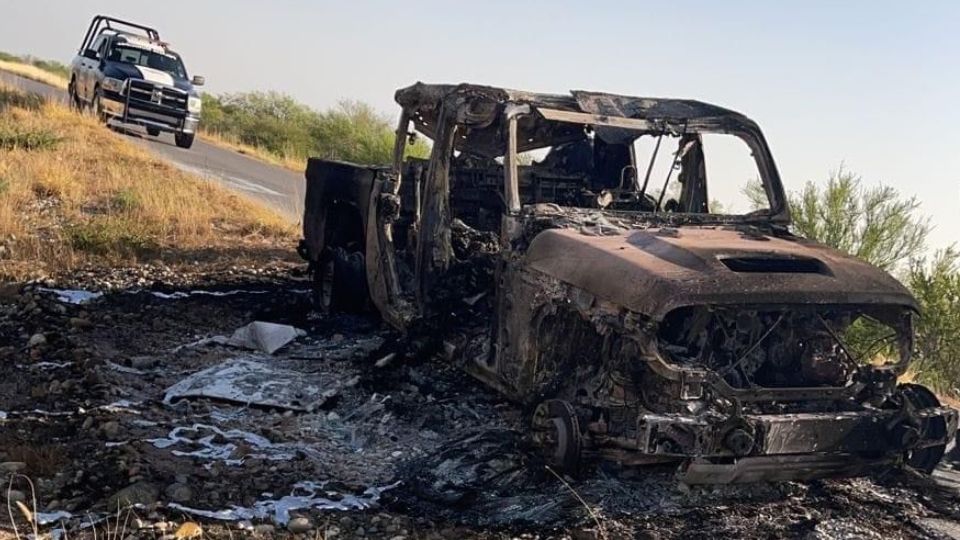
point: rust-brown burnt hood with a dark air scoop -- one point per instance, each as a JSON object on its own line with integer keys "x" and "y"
{"x": 653, "y": 271}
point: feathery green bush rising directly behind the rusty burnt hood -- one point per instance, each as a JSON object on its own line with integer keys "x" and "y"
{"x": 875, "y": 224}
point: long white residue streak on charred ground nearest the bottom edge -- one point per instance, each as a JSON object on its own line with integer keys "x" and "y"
{"x": 305, "y": 496}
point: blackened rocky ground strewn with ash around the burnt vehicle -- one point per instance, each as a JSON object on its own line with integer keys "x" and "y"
{"x": 343, "y": 435}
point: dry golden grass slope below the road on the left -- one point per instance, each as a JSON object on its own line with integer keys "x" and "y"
{"x": 86, "y": 195}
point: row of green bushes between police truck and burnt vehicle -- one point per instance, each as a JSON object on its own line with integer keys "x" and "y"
{"x": 277, "y": 123}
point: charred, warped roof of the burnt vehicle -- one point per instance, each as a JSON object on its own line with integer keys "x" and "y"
{"x": 479, "y": 107}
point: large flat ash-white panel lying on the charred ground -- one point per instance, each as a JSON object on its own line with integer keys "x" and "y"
{"x": 251, "y": 382}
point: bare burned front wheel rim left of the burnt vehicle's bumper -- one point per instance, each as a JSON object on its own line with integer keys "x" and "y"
{"x": 556, "y": 430}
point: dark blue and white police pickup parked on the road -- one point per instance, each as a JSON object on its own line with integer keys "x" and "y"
{"x": 125, "y": 73}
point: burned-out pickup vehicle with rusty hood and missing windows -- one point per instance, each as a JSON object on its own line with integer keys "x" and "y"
{"x": 568, "y": 250}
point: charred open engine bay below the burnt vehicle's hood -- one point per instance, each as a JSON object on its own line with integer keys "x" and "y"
{"x": 765, "y": 347}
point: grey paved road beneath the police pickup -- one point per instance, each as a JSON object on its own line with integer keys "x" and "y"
{"x": 276, "y": 186}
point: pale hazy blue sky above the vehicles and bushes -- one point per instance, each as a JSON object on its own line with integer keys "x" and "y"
{"x": 871, "y": 84}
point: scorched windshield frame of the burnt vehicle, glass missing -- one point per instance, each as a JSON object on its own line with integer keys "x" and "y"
{"x": 750, "y": 134}
